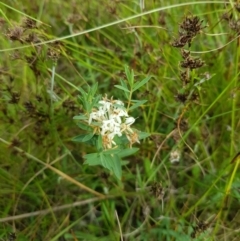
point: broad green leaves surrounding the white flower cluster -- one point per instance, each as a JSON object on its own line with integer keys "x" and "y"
{"x": 110, "y": 158}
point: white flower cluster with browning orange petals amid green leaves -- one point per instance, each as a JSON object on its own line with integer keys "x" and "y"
{"x": 111, "y": 119}
